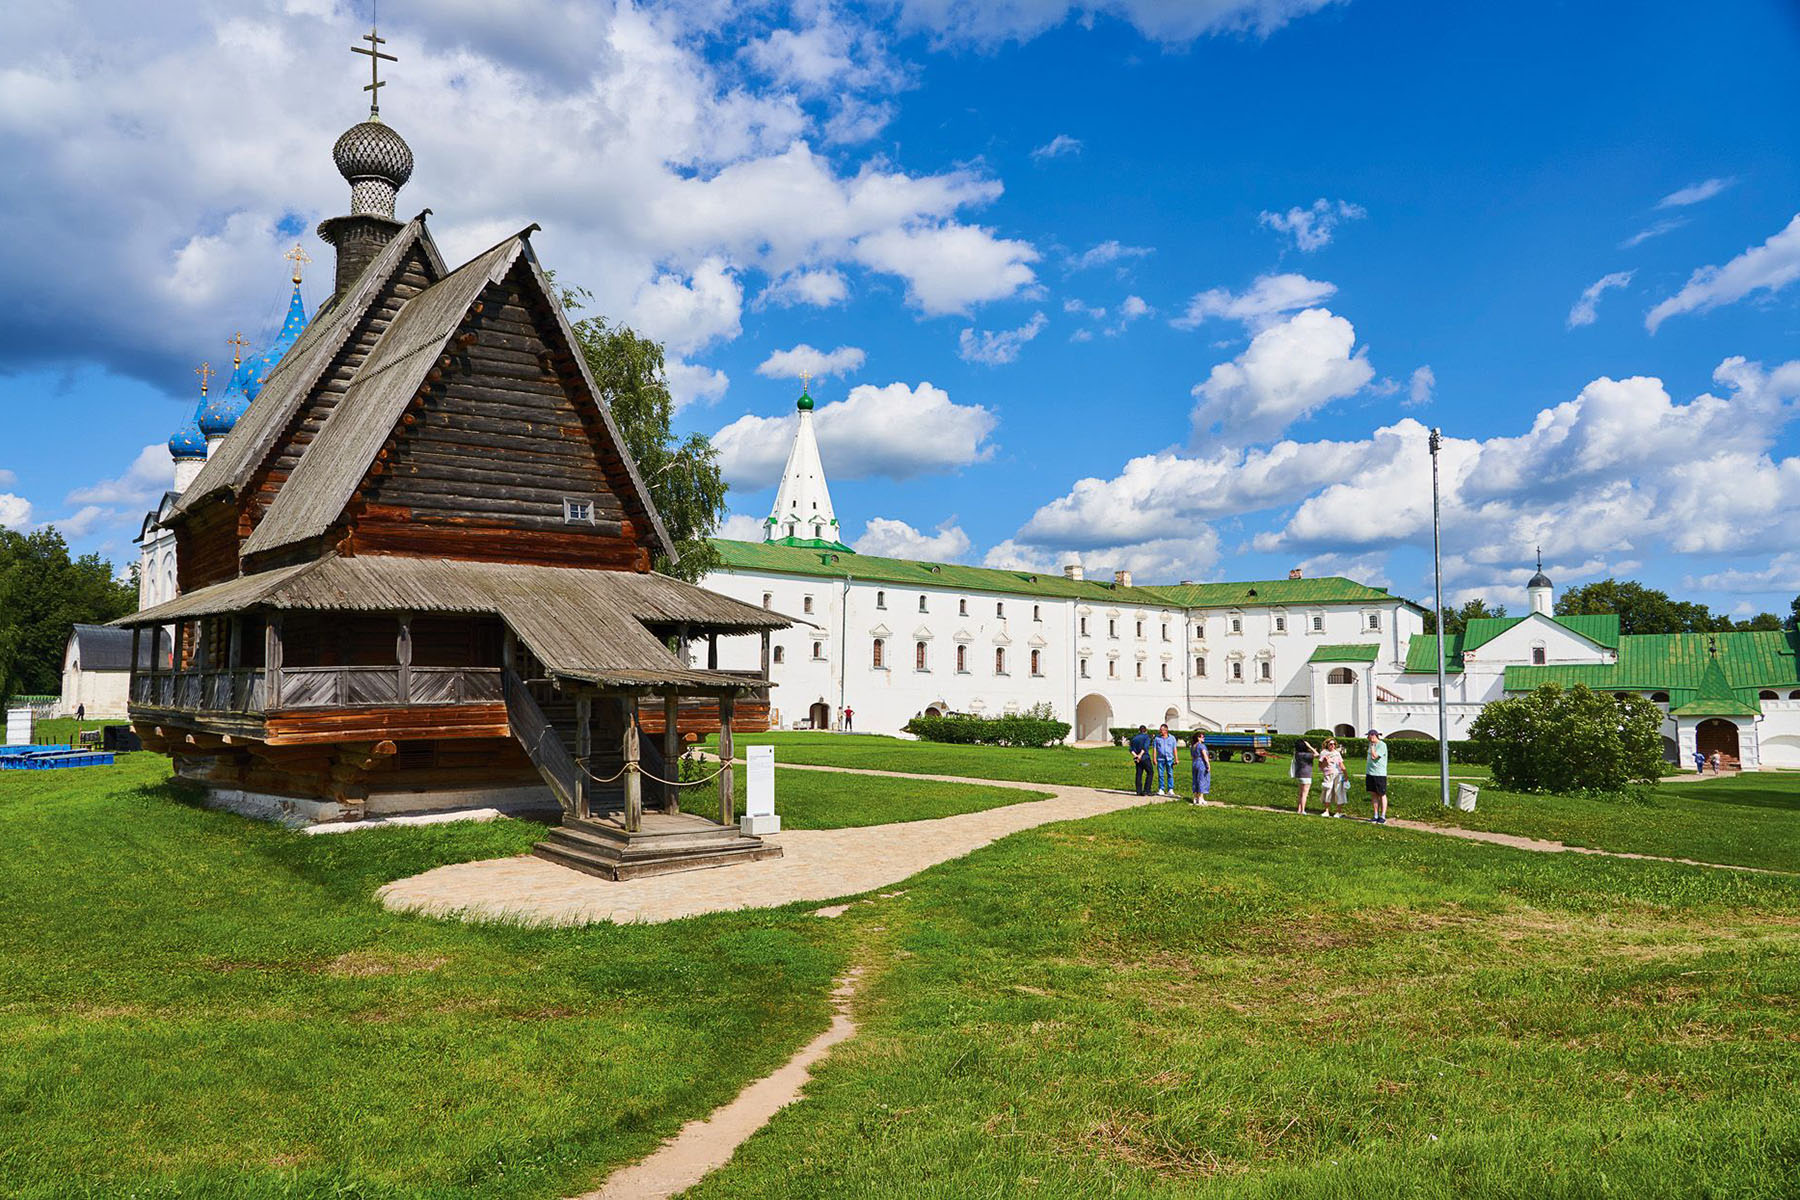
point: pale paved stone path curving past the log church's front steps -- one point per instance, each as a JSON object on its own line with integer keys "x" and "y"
{"x": 816, "y": 864}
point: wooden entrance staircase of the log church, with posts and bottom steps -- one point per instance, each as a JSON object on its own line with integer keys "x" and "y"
{"x": 600, "y": 845}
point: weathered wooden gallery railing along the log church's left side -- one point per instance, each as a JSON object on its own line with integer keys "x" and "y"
{"x": 316, "y": 688}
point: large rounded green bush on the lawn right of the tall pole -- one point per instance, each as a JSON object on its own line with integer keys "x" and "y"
{"x": 1578, "y": 740}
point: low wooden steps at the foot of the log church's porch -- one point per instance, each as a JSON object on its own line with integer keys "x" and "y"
{"x": 667, "y": 843}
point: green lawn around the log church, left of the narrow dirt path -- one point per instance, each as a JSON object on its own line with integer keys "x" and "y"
{"x": 197, "y": 1005}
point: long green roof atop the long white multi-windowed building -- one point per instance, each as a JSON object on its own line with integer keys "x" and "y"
{"x": 820, "y": 560}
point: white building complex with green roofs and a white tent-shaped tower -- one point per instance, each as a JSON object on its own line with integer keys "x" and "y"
{"x": 888, "y": 640}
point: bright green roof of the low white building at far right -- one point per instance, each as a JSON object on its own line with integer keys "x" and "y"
{"x": 1682, "y": 665}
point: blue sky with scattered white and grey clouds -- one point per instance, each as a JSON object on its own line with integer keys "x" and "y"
{"x": 1560, "y": 231}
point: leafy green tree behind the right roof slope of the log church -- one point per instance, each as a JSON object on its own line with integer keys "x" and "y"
{"x": 683, "y": 474}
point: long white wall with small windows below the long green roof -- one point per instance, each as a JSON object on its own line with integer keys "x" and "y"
{"x": 1124, "y": 685}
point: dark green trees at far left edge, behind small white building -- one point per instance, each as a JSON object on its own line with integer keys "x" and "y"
{"x": 42, "y": 595}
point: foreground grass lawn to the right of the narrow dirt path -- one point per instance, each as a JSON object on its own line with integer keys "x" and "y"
{"x": 1209, "y": 1003}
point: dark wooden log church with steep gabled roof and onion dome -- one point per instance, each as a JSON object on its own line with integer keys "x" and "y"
{"x": 417, "y": 575}
